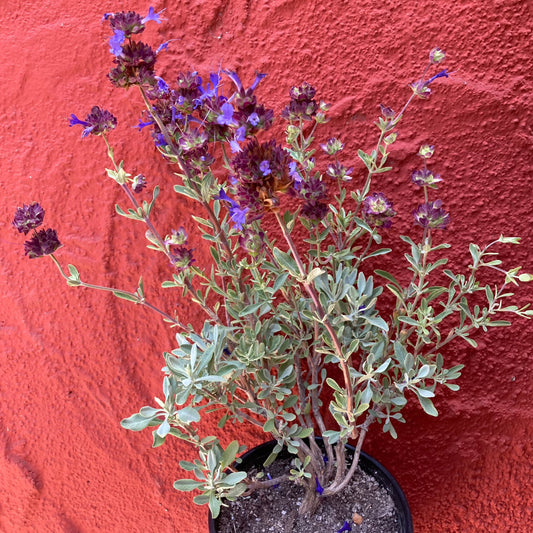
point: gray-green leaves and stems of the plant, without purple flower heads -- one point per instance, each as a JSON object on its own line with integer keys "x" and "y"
{"x": 291, "y": 324}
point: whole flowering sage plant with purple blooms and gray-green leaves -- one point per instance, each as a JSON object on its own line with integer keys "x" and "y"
{"x": 290, "y": 330}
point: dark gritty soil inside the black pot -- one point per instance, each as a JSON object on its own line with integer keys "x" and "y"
{"x": 276, "y": 510}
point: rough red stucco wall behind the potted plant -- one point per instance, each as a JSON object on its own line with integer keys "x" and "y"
{"x": 74, "y": 362}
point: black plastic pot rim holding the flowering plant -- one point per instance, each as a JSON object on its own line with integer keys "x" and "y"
{"x": 258, "y": 455}
